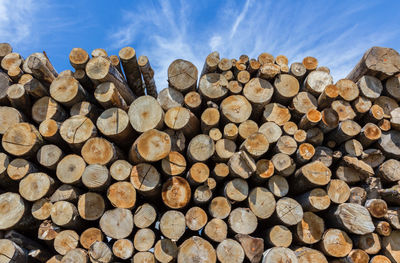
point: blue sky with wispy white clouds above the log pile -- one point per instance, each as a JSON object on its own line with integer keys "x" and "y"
{"x": 336, "y": 32}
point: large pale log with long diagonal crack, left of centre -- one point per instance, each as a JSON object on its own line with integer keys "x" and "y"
{"x": 77, "y": 130}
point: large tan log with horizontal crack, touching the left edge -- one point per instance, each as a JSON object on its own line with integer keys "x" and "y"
{"x": 22, "y": 139}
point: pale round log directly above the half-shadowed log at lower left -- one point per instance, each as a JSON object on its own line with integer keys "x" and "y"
{"x": 96, "y": 177}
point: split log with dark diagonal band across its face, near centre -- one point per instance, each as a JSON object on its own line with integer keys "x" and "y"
{"x": 241, "y": 165}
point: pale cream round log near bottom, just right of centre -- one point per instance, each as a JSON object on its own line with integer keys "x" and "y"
{"x": 242, "y": 221}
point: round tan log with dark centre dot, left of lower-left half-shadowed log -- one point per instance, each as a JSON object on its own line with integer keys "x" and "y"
{"x": 70, "y": 169}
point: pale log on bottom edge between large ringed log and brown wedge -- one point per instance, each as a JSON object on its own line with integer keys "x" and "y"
{"x": 230, "y": 251}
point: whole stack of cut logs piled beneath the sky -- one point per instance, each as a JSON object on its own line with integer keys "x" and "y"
{"x": 252, "y": 160}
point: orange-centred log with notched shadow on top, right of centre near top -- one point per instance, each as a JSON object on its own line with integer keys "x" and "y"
{"x": 259, "y": 93}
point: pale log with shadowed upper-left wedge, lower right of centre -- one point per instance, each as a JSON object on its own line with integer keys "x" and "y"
{"x": 261, "y": 202}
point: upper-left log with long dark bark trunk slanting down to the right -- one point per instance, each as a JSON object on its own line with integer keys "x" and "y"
{"x": 99, "y": 69}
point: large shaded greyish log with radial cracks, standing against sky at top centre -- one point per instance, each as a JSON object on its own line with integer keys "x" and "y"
{"x": 182, "y": 75}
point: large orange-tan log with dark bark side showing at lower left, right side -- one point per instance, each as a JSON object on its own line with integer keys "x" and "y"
{"x": 311, "y": 175}
